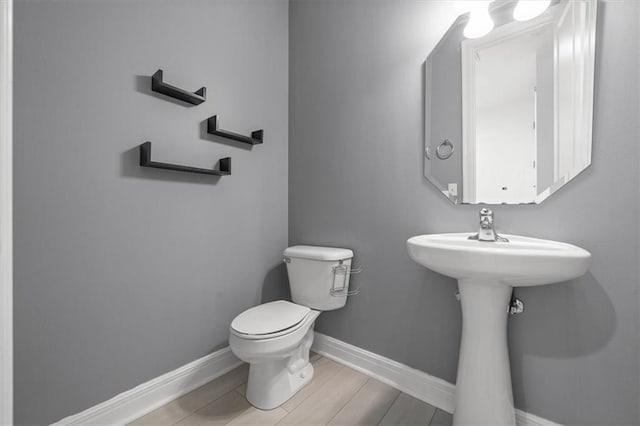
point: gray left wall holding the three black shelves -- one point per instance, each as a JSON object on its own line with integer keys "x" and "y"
{"x": 123, "y": 273}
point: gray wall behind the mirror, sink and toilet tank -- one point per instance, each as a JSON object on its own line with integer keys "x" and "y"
{"x": 355, "y": 176}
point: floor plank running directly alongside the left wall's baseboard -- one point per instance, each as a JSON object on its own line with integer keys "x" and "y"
{"x": 187, "y": 404}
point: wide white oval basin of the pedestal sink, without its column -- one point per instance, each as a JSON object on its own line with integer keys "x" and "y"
{"x": 523, "y": 261}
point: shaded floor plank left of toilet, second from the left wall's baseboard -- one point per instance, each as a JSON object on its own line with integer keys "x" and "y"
{"x": 219, "y": 412}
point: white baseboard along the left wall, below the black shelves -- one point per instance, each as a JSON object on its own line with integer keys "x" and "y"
{"x": 142, "y": 399}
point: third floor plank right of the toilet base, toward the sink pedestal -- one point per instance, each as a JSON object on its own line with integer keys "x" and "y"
{"x": 368, "y": 406}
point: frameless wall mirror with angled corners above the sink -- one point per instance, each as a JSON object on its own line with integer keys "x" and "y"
{"x": 509, "y": 113}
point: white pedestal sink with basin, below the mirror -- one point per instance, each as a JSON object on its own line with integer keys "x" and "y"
{"x": 486, "y": 274}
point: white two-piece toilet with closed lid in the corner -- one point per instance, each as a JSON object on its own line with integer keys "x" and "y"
{"x": 275, "y": 337}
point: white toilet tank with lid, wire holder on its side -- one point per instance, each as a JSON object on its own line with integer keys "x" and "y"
{"x": 318, "y": 276}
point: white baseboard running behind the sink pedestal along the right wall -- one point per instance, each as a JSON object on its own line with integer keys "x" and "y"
{"x": 420, "y": 385}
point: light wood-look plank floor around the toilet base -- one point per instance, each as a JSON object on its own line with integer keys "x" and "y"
{"x": 337, "y": 395}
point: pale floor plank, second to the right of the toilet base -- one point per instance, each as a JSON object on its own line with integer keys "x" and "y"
{"x": 323, "y": 405}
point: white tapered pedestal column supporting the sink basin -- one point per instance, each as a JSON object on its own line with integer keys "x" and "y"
{"x": 483, "y": 385}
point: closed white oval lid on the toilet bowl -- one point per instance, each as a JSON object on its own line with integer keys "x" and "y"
{"x": 269, "y": 318}
